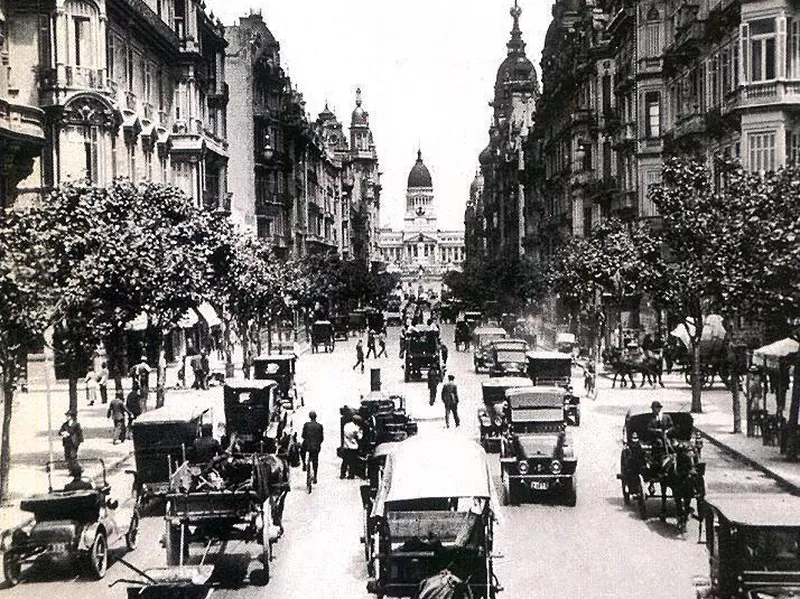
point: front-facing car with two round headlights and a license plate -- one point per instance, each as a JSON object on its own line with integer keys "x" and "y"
{"x": 537, "y": 453}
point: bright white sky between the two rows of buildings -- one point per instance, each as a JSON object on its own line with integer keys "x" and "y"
{"x": 426, "y": 69}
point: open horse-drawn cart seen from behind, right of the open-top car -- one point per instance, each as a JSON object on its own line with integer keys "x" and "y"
{"x": 230, "y": 504}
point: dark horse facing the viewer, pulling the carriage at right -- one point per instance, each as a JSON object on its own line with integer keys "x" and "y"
{"x": 681, "y": 472}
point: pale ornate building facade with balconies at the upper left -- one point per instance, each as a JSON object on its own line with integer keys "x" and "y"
{"x": 132, "y": 89}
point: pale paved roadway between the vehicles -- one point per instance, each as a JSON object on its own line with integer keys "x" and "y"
{"x": 599, "y": 548}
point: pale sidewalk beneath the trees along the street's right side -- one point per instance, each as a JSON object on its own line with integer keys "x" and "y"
{"x": 715, "y": 425}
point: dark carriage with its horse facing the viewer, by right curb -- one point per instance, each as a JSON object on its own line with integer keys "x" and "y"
{"x": 674, "y": 463}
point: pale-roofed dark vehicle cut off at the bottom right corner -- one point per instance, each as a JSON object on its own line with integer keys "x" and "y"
{"x": 753, "y": 543}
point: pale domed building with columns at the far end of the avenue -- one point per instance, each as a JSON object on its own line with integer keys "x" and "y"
{"x": 421, "y": 252}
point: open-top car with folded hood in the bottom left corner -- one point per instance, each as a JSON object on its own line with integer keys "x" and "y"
{"x": 81, "y": 525}
